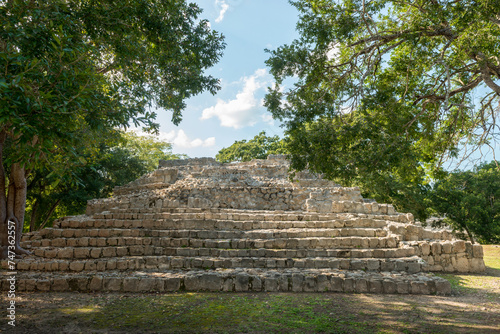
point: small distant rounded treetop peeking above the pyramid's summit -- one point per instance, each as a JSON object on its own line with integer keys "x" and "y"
{"x": 257, "y": 148}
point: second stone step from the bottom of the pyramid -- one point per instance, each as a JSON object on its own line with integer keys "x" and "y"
{"x": 409, "y": 264}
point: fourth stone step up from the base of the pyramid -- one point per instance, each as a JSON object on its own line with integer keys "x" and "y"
{"x": 53, "y": 233}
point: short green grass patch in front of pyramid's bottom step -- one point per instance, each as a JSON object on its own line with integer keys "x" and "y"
{"x": 228, "y": 313}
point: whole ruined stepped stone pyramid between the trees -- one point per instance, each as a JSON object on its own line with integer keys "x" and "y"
{"x": 198, "y": 225}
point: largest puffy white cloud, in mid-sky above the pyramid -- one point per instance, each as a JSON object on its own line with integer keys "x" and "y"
{"x": 241, "y": 111}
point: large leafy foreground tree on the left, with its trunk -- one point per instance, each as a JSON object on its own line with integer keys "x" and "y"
{"x": 74, "y": 68}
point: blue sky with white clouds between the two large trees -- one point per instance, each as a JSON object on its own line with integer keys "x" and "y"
{"x": 211, "y": 123}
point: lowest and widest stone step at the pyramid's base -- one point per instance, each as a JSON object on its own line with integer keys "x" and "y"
{"x": 239, "y": 280}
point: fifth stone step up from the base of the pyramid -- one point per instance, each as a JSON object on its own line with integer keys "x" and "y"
{"x": 219, "y": 224}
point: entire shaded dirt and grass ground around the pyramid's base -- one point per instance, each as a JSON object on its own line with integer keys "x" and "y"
{"x": 473, "y": 307}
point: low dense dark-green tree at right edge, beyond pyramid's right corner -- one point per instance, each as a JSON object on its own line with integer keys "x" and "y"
{"x": 469, "y": 201}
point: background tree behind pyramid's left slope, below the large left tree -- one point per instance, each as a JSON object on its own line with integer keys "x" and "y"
{"x": 116, "y": 161}
